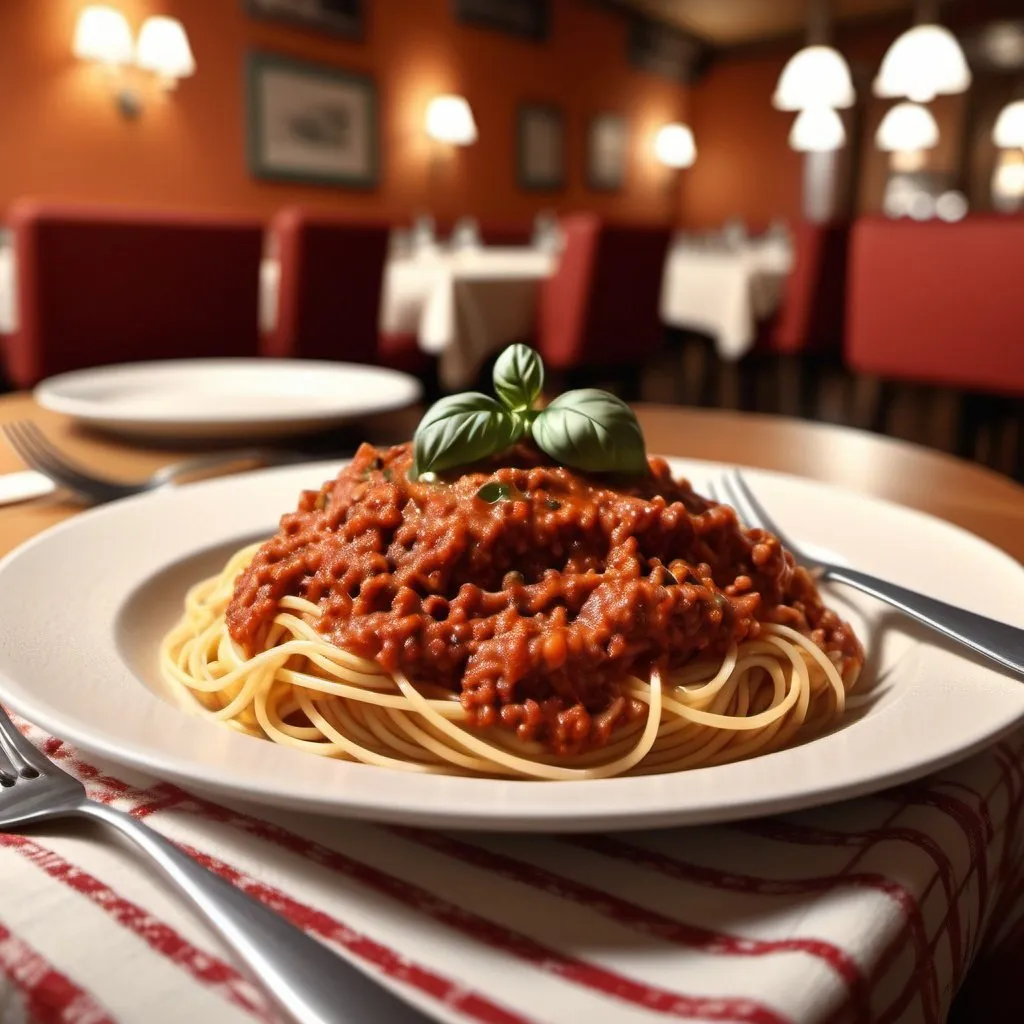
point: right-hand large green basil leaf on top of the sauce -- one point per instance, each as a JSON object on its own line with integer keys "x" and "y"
{"x": 592, "y": 431}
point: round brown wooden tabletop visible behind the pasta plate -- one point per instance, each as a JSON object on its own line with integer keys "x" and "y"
{"x": 969, "y": 496}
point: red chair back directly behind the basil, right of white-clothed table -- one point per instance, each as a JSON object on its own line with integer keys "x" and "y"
{"x": 602, "y": 306}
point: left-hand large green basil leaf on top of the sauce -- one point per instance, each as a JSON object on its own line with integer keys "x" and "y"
{"x": 461, "y": 430}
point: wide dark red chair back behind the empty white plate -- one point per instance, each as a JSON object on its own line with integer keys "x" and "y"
{"x": 102, "y": 285}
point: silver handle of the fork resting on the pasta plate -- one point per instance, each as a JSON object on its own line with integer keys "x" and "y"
{"x": 1001, "y": 643}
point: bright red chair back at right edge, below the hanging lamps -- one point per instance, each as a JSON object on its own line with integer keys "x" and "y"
{"x": 936, "y": 303}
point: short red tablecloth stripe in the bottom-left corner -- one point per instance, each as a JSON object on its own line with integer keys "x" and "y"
{"x": 51, "y": 998}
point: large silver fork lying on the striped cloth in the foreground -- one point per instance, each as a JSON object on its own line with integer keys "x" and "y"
{"x": 306, "y": 978}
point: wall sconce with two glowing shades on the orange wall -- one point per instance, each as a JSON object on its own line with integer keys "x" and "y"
{"x": 104, "y": 36}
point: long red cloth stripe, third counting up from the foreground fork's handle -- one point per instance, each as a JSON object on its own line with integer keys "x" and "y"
{"x": 639, "y": 918}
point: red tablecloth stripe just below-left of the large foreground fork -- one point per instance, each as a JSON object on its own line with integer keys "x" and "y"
{"x": 220, "y": 976}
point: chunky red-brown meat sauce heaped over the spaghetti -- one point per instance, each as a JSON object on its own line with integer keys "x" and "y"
{"x": 527, "y": 588}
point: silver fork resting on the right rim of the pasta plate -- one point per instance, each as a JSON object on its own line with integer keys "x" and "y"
{"x": 1000, "y": 642}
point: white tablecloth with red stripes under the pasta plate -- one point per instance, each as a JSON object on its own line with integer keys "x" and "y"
{"x": 869, "y": 911}
